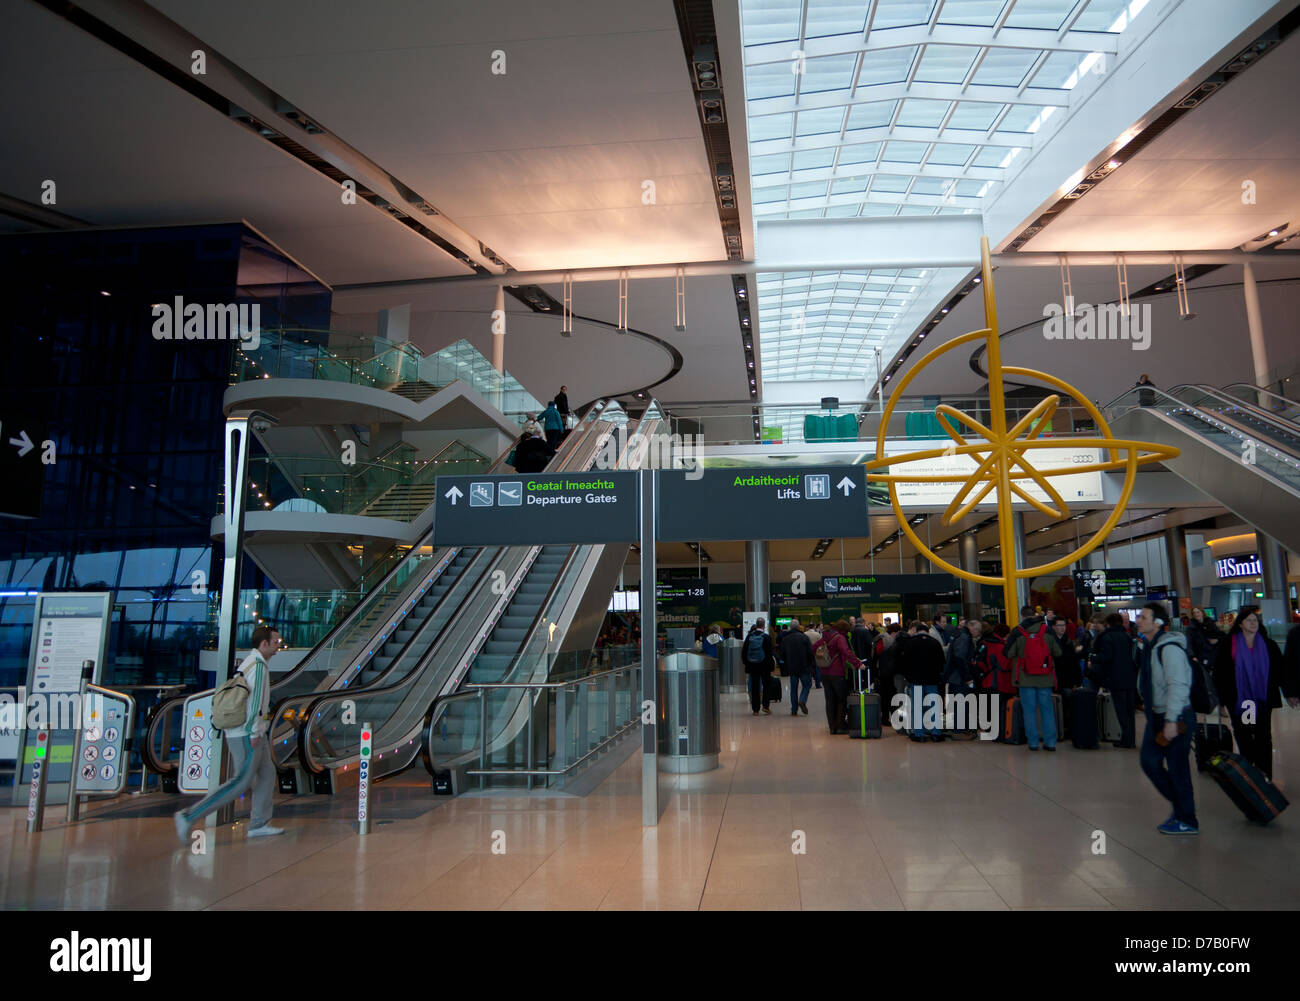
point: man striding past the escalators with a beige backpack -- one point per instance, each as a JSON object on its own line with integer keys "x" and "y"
{"x": 248, "y": 743}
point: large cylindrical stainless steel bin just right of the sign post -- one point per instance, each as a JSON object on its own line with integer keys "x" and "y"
{"x": 690, "y": 716}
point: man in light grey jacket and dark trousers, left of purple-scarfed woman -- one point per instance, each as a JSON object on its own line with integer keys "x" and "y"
{"x": 1165, "y": 682}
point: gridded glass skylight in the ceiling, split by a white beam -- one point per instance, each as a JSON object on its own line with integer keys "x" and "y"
{"x": 876, "y": 109}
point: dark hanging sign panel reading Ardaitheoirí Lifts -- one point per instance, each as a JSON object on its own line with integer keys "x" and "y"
{"x": 755, "y": 504}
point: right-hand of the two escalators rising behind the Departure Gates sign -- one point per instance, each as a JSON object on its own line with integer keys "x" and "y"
{"x": 540, "y": 619}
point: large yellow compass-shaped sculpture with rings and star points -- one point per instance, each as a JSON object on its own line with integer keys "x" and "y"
{"x": 1002, "y": 456}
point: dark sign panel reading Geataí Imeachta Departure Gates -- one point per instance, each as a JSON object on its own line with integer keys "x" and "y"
{"x": 536, "y": 510}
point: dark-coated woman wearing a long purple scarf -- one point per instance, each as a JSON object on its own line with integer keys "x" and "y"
{"x": 1249, "y": 671}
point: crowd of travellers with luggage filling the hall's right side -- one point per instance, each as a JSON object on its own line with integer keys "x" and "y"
{"x": 1139, "y": 665}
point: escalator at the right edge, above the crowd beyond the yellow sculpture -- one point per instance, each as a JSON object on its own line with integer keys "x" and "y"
{"x": 1243, "y": 456}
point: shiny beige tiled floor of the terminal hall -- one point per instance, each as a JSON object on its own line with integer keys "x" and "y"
{"x": 883, "y": 826}
